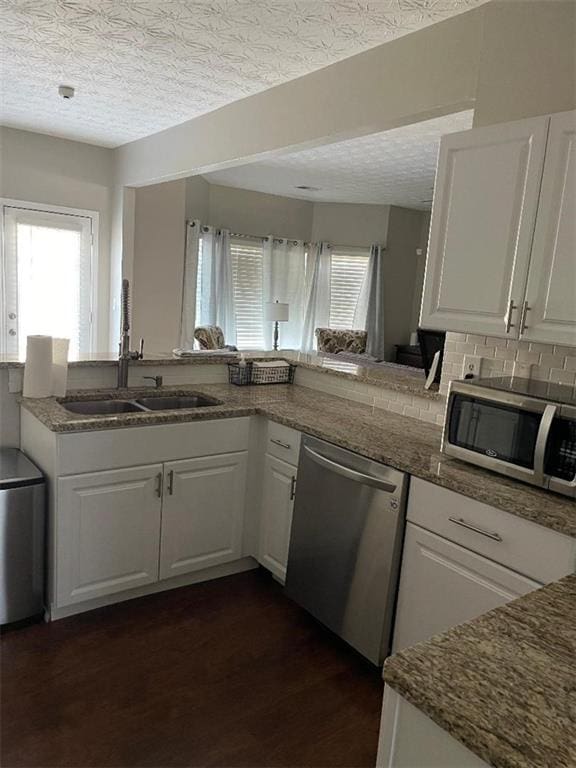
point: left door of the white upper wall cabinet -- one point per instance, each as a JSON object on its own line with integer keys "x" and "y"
{"x": 485, "y": 204}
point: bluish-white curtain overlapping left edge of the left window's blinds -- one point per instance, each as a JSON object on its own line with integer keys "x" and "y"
{"x": 215, "y": 297}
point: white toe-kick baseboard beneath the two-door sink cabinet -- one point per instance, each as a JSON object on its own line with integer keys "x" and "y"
{"x": 207, "y": 574}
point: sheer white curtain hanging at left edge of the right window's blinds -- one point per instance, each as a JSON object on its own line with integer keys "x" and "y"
{"x": 317, "y": 294}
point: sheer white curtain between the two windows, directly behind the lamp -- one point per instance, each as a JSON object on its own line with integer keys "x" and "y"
{"x": 284, "y": 266}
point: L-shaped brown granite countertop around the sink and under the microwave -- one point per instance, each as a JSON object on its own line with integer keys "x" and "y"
{"x": 404, "y": 443}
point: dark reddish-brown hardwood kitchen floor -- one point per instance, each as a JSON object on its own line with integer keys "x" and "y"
{"x": 225, "y": 673}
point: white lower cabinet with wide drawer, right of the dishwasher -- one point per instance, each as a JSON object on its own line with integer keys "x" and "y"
{"x": 462, "y": 558}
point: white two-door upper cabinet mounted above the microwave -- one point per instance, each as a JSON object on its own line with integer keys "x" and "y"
{"x": 502, "y": 250}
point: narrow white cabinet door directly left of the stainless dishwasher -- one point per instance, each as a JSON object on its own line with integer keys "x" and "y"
{"x": 276, "y": 515}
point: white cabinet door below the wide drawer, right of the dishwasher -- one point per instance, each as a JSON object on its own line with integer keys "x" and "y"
{"x": 442, "y": 585}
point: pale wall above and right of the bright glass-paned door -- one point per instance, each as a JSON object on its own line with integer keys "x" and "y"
{"x": 43, "y": 169}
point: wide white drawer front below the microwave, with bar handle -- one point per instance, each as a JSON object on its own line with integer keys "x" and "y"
{"x": 526, "y": 547}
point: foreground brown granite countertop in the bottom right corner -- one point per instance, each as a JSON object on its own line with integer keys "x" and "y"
{"x": 503, "y": 684}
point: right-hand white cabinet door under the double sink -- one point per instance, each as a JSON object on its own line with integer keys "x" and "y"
{"x": 203, "y": 512}
